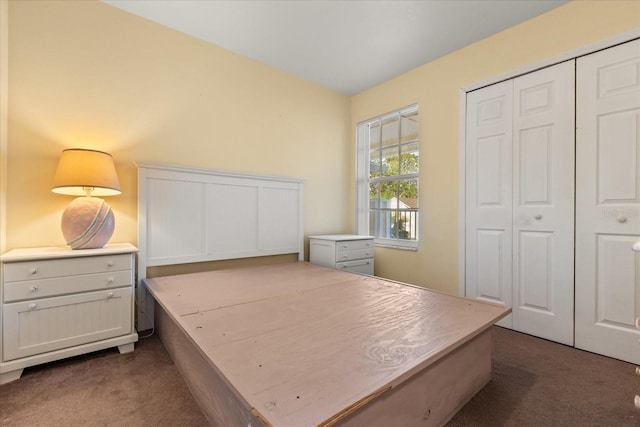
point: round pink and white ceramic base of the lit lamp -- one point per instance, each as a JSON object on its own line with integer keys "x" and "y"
{"x": 87, "y": 223}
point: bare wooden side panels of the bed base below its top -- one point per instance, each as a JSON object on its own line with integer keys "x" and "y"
{"x": 429, "y": 398}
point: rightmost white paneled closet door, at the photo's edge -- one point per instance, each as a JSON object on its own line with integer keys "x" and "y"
{"x": 608, "y": 202}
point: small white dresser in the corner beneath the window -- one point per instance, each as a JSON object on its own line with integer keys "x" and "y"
{"x": 347, "y": 252}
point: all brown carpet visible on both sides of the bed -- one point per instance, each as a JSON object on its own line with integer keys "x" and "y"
{"x": 534, "y": 383}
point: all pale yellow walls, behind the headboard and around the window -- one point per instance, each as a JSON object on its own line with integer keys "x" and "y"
{"x": 84, "y": 74}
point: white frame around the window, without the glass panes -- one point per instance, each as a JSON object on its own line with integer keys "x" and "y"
{"x": 362, "y": 183}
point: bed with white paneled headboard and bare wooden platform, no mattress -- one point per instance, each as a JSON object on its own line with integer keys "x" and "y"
{"x": 284, "y": 342}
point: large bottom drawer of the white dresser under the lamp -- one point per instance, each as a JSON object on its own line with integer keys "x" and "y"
{"x": 52, "y": 324}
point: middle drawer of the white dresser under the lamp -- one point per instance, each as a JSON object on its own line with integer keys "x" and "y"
{"x": 33, "y": 289}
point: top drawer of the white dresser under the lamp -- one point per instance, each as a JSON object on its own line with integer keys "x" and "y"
{"x": 43, "y": 269}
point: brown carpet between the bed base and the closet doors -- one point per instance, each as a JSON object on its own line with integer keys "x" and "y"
{"x": 540, "y": 383}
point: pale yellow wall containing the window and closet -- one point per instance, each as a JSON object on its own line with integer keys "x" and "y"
{"x": 435, "y": 87}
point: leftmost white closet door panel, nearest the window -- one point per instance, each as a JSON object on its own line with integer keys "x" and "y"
{"x": 489, "y": 195}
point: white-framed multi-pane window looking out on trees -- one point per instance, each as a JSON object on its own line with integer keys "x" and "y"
{"x": 387, "y": 178}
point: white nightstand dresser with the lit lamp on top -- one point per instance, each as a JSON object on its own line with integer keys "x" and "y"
{"x": 58, "y": 302}
